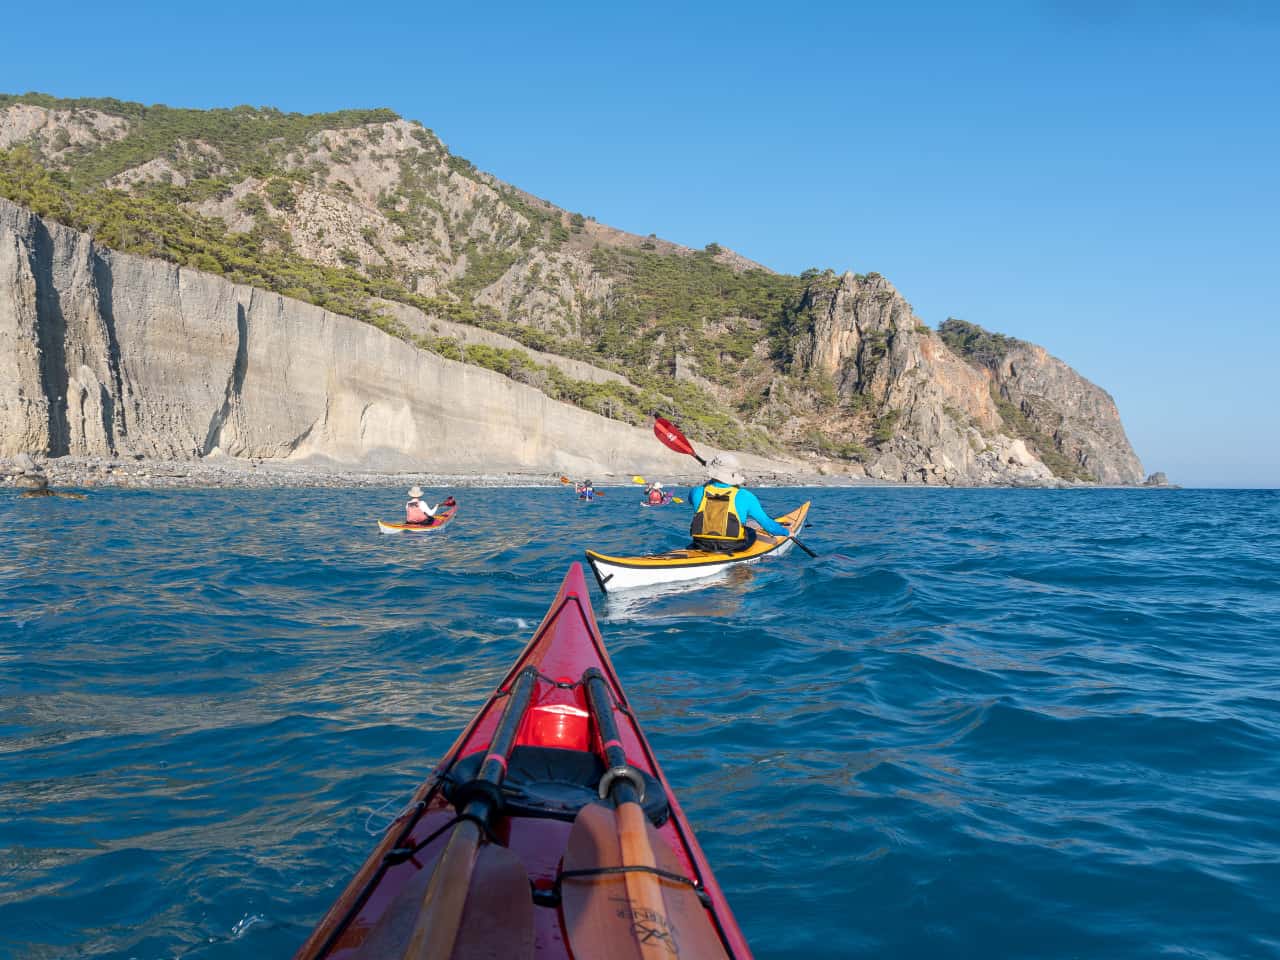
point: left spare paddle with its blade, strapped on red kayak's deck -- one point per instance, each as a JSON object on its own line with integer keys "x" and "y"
{"x": 478, "y": 895}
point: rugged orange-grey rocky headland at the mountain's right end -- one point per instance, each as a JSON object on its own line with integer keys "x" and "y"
{"x": 936, "y": 418}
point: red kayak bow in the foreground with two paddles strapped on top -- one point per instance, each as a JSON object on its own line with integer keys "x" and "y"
{"x": 547, "y": 831}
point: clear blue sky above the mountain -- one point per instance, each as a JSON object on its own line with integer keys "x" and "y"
{"x": 1099, "y": 177}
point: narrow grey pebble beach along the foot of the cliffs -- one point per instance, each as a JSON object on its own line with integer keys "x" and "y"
{"x": 230, "y": 473}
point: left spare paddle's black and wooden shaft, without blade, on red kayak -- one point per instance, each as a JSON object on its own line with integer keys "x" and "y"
{"x": 440, "y": 922}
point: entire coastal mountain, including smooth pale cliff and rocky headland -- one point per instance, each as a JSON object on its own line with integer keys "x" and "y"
{"x": 341, "y": 286}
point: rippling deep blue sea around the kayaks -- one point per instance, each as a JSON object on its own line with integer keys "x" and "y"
{"x": 984, "y": 724}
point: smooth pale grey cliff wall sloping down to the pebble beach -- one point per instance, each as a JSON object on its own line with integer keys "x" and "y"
{"x": 112, "y": 354}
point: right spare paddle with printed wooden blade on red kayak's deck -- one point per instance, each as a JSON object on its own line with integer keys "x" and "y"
{"x": 624, "y": 893}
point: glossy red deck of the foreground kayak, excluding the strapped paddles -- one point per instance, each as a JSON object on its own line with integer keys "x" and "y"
{"x": 559, "y": 744}
